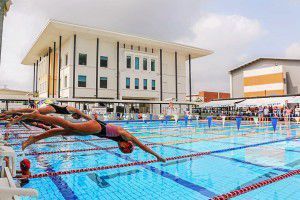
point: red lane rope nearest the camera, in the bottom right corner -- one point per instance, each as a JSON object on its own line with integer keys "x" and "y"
{"x": 260, "y": 184}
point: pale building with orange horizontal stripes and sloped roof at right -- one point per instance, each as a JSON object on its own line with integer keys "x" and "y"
{"x": 265, "y": 77}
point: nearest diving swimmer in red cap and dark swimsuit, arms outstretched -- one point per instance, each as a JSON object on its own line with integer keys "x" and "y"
{"x": 97, "y": 128}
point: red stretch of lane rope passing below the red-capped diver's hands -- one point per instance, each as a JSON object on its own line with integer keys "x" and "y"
{"x": 46, "y": 174}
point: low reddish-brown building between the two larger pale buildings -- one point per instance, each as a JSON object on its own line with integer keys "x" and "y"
{"x": 205, "y": 96}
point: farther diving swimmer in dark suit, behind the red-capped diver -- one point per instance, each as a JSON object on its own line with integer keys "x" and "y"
{"x": 51, "y": 108}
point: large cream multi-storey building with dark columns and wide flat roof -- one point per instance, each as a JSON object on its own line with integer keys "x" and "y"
{"x": 73, "y": 61}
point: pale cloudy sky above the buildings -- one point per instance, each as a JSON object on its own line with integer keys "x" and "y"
{"x": 237, "y": 31}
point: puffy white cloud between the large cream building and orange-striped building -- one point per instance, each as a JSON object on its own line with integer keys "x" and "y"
{"x": 229, "y": 36}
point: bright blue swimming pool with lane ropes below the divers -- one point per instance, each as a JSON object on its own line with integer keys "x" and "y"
{"x": 203, "y": 163}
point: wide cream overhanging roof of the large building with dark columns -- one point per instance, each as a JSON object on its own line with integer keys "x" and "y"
{"x": 54, "y": 29}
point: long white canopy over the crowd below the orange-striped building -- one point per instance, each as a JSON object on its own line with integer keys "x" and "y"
{"x": 271, "y": 101}
